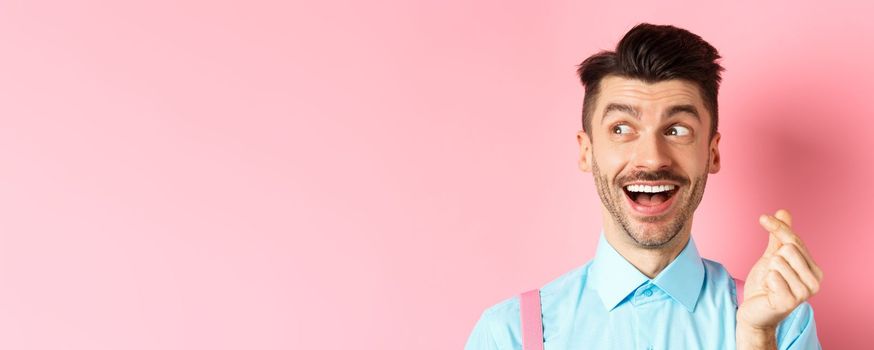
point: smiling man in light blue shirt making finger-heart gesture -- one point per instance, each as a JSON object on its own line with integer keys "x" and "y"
{"x": 650, "y": 140}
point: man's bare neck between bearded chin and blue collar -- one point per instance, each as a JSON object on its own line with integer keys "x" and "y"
{"x": 648, "y": 260}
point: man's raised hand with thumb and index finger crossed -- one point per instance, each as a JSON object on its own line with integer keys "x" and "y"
{"x": 783, "y": 278}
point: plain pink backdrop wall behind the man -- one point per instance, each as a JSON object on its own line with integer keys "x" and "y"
{"x": 373, "y": 174}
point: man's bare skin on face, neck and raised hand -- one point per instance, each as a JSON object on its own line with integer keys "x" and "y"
{"x": 646, "y": 143}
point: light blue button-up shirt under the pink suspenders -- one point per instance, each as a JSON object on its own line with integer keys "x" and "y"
{"x": 608, "y": 304}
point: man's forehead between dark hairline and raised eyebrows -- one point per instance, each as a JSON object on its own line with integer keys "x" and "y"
{"x": 643, "y": 95}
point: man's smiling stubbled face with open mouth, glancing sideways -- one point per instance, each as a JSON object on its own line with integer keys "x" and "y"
{"x": 650, "y": 152}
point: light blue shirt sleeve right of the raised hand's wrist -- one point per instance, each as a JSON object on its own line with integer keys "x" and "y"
{"x": 798, "y": 330}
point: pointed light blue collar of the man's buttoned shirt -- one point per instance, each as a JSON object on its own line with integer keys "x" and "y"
{"x": 615, "y": 278}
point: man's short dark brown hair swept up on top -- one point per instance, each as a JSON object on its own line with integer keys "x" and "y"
{"x": 654, "y": 53}
